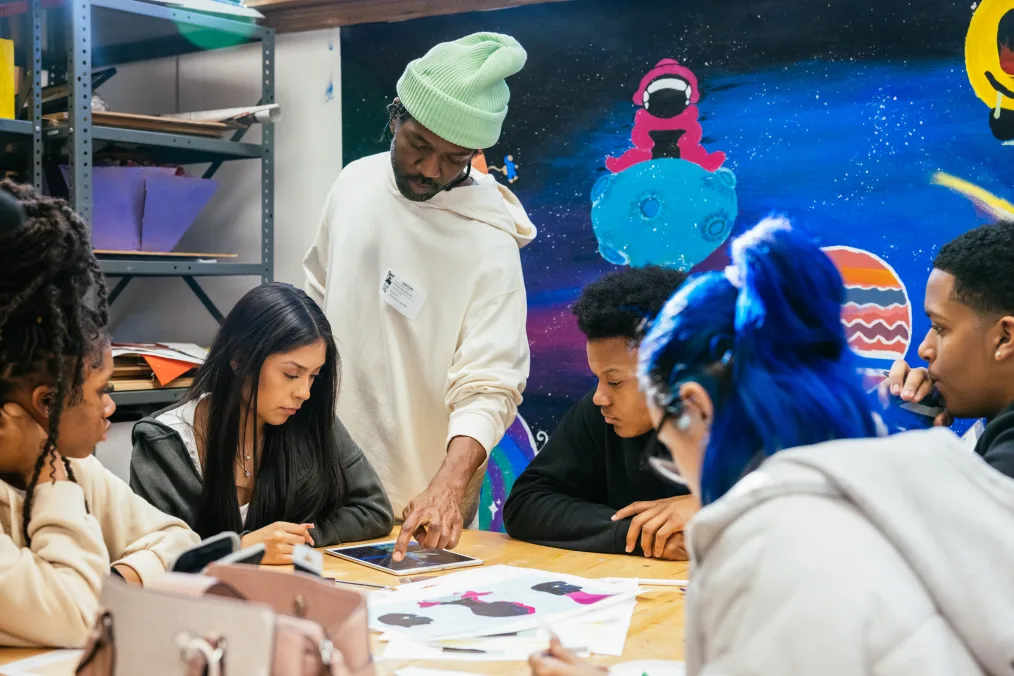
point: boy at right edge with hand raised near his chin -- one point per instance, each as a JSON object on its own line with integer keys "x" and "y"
{"x": 970, "y": 299}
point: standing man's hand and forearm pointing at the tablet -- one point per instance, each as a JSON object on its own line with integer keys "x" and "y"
{"x": 434, "y": 516}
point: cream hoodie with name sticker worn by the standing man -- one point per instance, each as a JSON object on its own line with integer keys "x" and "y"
{"x": 454, "y": 359}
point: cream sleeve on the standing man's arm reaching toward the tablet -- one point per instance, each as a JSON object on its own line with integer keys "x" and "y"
{"x": 490, "y": 370}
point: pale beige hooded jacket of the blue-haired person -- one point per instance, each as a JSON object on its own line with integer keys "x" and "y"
{"x": 883, "y": 558}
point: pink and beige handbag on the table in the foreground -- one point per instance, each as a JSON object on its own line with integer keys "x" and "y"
{"x": 236, "y": 621}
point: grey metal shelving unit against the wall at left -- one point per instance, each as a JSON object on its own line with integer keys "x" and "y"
{"x": 95, "y": 34}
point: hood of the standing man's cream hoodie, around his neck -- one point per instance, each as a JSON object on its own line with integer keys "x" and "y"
{"x": 485, "y": 201}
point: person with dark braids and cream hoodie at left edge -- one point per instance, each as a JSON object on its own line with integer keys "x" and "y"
{"x": 66, "y": 519}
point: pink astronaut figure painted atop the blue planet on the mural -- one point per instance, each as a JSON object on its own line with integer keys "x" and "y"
{"x": 667, "y": 125}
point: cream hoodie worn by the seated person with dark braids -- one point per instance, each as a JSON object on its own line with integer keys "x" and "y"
{"x": 50, "y": 593}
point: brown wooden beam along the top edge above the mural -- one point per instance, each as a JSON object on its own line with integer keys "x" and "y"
{"x": 299, "y": 16}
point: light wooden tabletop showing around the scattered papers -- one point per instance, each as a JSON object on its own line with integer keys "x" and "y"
{"x": 656, "y": 634}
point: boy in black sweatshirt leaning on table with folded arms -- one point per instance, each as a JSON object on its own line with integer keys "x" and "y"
{"x": 591, "y": 489}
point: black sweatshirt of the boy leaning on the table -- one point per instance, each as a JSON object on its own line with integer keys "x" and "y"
{"x": 585, "y": 475}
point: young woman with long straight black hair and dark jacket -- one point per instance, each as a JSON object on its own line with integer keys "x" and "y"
{"x": 250, "y": 450}
